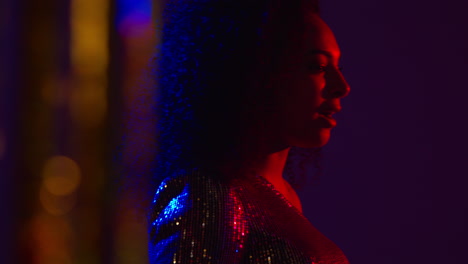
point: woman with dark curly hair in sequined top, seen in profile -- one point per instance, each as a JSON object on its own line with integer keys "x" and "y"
{"x": 241, "y": 84}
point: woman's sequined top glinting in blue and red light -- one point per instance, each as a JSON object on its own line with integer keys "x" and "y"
{"x": 198, "y": 219}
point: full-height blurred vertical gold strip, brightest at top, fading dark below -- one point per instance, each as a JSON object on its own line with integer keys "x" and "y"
{"x": 88, "y": 105}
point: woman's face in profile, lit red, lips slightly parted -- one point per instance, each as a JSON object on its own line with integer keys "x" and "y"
{"x": 310, "y": 86}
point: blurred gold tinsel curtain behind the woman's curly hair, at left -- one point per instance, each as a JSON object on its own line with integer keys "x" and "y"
{"x": 71, "y": 124}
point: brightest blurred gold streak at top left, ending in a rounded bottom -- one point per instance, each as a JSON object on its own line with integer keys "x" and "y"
{"x": 89, "y": 59}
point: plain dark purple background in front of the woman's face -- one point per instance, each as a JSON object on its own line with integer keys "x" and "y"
{"x": 395, "y": 185}
